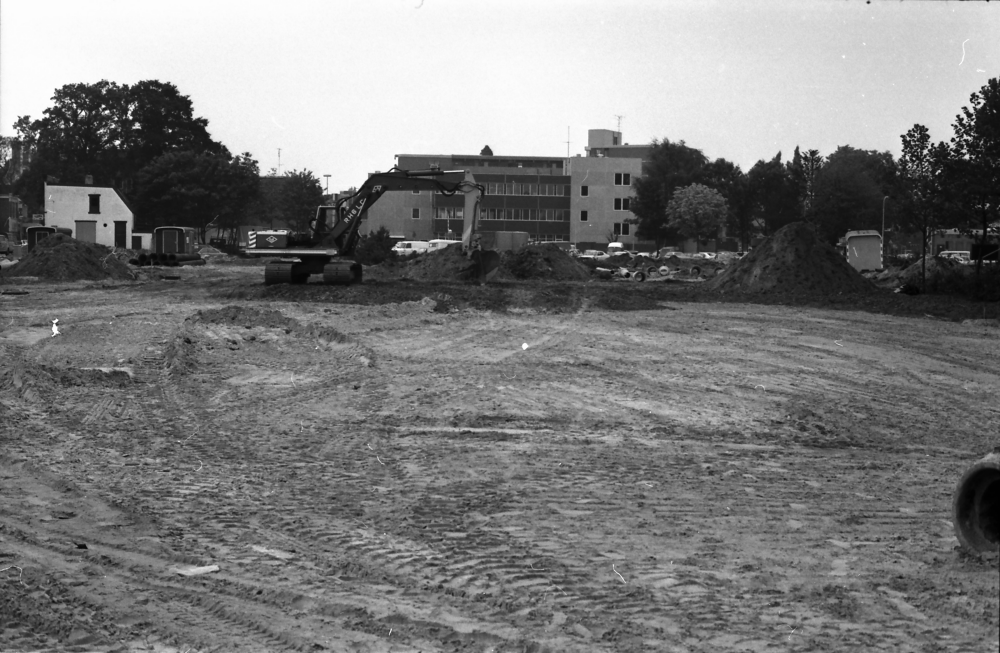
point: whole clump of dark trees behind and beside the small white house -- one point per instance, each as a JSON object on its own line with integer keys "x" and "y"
{"x": 145, "y": 140}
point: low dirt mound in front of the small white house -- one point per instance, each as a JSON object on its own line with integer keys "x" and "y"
{"x": 63, "y": 258}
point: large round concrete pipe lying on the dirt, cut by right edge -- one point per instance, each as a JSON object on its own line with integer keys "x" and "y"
{"x": 976, "y": 505}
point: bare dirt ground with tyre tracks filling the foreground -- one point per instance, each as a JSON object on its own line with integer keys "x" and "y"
{"x": 210, "y": 464}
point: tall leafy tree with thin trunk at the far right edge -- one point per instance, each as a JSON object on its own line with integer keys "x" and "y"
{"x": 976, "y": 149}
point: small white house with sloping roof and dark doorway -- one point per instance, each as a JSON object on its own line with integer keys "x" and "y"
{"x": 96, "y": 214}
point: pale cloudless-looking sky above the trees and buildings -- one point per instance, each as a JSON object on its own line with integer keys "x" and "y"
{"x": 342, "y": 87}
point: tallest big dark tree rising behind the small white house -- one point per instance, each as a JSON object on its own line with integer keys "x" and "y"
{"x": 110, "y": 132}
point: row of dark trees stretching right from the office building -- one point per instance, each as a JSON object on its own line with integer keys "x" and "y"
{"x": 951, "y": 184}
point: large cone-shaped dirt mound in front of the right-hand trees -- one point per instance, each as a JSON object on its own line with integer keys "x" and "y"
{"x": 792, "y": 260}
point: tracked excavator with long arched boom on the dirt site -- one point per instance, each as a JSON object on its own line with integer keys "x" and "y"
{"x": 329, "y": 247}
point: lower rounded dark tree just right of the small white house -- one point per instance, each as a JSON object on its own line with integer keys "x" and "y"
{"x": 192, "y": 189}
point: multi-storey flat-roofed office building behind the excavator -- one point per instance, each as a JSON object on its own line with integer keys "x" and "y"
{"x": 579, "y": 200}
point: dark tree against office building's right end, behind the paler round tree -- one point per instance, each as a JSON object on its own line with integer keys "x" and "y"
{"x": 670, "y": 166}
